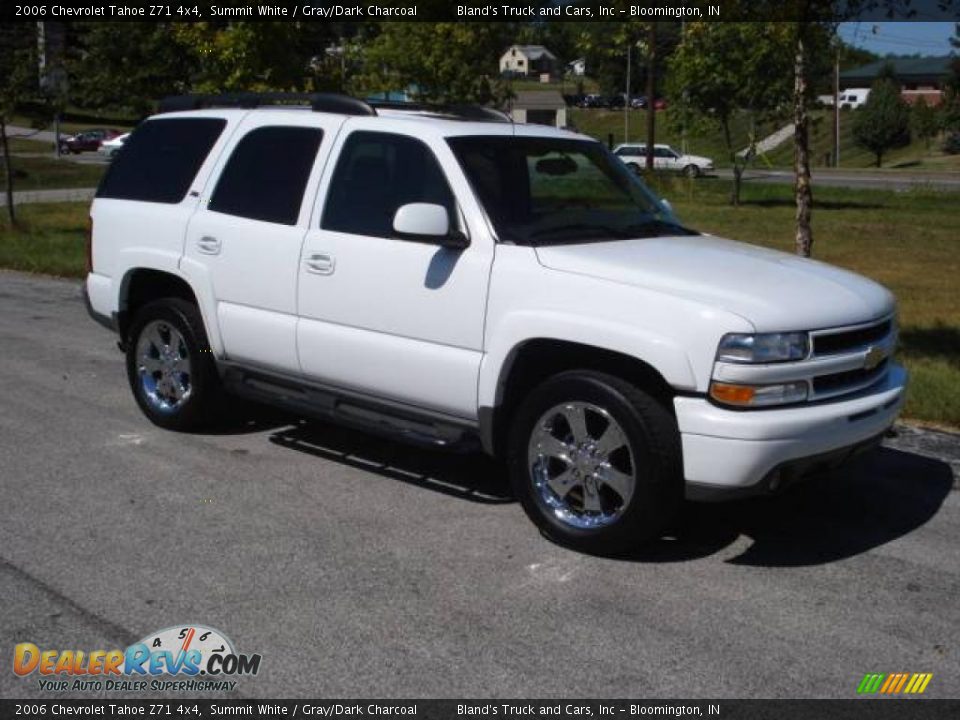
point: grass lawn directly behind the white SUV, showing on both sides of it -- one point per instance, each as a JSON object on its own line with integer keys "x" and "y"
{"x": 906, "y": 240}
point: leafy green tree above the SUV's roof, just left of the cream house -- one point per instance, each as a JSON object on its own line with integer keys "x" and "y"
{"x": 439, "y": 62}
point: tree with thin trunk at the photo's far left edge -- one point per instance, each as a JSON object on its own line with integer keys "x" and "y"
{"x": 19, "y": 81}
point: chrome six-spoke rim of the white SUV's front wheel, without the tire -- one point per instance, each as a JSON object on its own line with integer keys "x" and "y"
{"x": 581, "y": 465}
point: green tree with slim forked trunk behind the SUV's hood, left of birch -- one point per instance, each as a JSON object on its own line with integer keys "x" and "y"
{"x": 722, "y": 69}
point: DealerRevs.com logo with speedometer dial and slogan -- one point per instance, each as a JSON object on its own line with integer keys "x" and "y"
{"x": 189, "y": 658}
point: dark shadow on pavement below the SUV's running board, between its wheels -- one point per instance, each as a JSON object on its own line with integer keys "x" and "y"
{"x": 469, "y": 476}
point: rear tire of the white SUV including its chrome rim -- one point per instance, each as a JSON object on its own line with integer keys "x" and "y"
{"x": 170, "y": 366}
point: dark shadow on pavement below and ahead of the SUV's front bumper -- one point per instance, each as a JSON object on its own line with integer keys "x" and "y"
{"x": 873, "y": 500}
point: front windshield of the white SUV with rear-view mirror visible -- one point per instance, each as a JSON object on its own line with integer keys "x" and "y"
{"x": 545, "y": 191}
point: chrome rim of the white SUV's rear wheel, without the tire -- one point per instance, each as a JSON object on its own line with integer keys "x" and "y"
{"x": 163, "y": 366}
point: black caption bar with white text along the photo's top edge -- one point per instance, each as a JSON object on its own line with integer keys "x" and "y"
{"x": 478, "y": 11}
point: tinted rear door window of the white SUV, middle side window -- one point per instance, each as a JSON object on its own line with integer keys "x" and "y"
{"x": 267, "y": 174}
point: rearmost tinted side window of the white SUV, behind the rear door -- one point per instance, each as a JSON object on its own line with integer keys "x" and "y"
{"x": 160, "y": 159}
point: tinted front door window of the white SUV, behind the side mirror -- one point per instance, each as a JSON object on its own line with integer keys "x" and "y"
{"x": 375, "y": 175}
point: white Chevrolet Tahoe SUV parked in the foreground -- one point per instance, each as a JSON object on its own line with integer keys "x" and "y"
{"x": 448, "y": 277}
